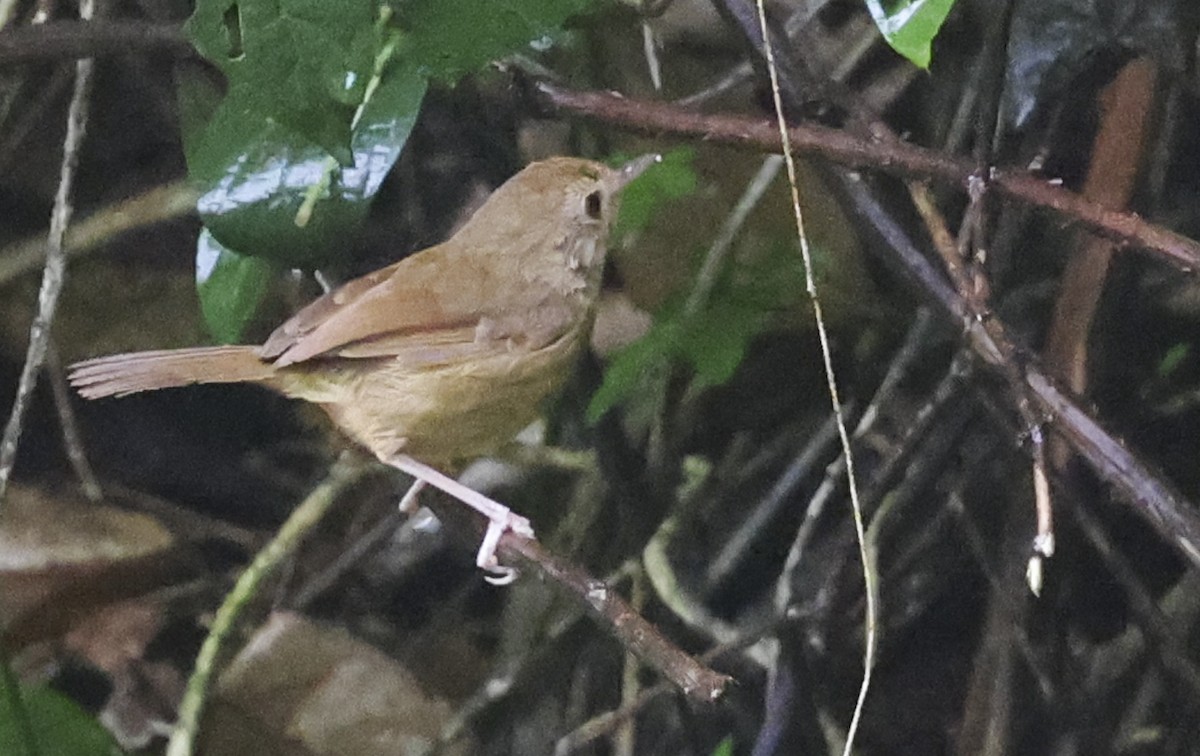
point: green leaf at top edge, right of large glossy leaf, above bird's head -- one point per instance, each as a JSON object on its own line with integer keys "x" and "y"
{"x": 452, "y": 38}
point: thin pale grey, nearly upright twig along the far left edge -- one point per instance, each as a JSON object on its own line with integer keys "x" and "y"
{"x": 56, "y": 263}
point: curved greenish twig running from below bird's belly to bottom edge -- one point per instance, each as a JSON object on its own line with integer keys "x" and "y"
{"x": 303, "y": 520}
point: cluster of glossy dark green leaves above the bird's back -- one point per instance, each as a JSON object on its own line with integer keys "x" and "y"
{"x": 322, "y": 98}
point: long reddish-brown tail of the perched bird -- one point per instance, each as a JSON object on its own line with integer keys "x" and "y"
{"x": 119, "y": 375}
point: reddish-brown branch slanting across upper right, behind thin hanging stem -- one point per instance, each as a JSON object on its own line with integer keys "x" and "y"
{"x": 893, "y": 158}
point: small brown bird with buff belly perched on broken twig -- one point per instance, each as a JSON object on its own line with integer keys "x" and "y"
{"x": 443, "y": 356}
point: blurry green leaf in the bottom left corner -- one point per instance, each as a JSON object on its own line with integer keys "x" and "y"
{"x": 59, "y": 727}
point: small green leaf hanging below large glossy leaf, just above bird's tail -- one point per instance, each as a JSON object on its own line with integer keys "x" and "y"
{"x": 231, "y": 286}
